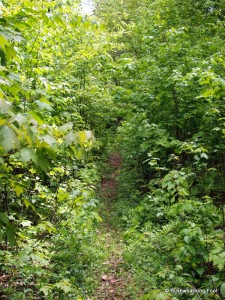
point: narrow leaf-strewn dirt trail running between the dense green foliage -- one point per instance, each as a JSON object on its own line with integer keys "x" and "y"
{"x": 115, "y": 279}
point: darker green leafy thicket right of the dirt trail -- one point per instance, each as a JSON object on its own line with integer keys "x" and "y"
{"x": 169, "y": 77}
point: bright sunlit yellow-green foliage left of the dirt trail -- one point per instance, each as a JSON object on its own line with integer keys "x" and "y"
{"x": 49, "y": 115}
